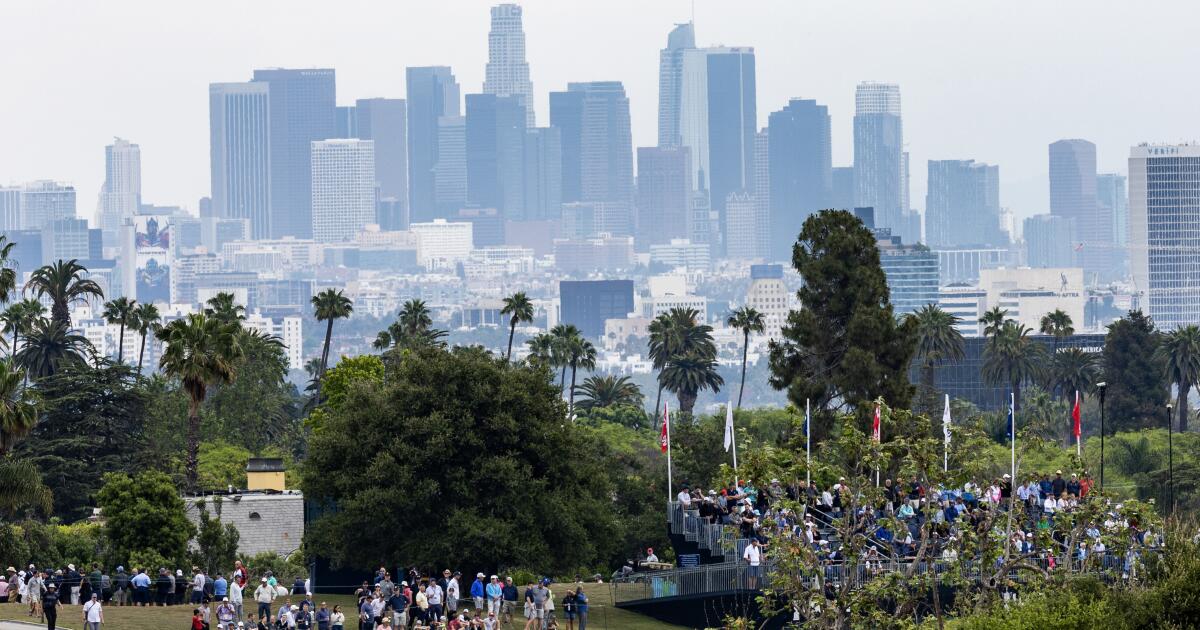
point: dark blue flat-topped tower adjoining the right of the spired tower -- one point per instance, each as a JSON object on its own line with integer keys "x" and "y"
{"x": 733, "y": 123}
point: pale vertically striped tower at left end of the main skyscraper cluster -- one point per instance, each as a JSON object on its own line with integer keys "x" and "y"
{"x": 239, "y": 154}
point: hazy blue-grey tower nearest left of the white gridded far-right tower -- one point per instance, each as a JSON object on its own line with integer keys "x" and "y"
{"x": 1073, "y": 196}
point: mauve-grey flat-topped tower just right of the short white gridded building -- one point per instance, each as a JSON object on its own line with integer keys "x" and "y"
{"x": 383, "y": 122}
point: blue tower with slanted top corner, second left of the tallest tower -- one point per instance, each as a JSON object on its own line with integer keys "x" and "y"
{"x": 433, "y": 94}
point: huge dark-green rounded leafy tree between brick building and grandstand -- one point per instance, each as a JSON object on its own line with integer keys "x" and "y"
{"x": 470, "y": 460}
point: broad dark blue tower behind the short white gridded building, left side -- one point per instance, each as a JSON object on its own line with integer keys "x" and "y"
{"x": 303, "y": 110}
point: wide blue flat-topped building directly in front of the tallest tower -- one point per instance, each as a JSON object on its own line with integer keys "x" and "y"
{"x": 496, "y": 131}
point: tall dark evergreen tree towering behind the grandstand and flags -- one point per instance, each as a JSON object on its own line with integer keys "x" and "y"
{"x": 844, "y": 346}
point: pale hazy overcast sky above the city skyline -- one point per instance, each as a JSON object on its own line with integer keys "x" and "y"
{"x": 992, "y": 81}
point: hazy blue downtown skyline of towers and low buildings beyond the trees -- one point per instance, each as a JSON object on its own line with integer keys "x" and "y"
{"x": 459, "y": 197}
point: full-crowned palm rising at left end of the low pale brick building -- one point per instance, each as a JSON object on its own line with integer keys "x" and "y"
{"x": 201, "y": 351}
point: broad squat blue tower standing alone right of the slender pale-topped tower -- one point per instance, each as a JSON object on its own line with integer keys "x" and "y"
{"x": 963, "y": 205}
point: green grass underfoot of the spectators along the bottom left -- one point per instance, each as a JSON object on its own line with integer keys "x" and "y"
{"x": 603, "y": 615}
